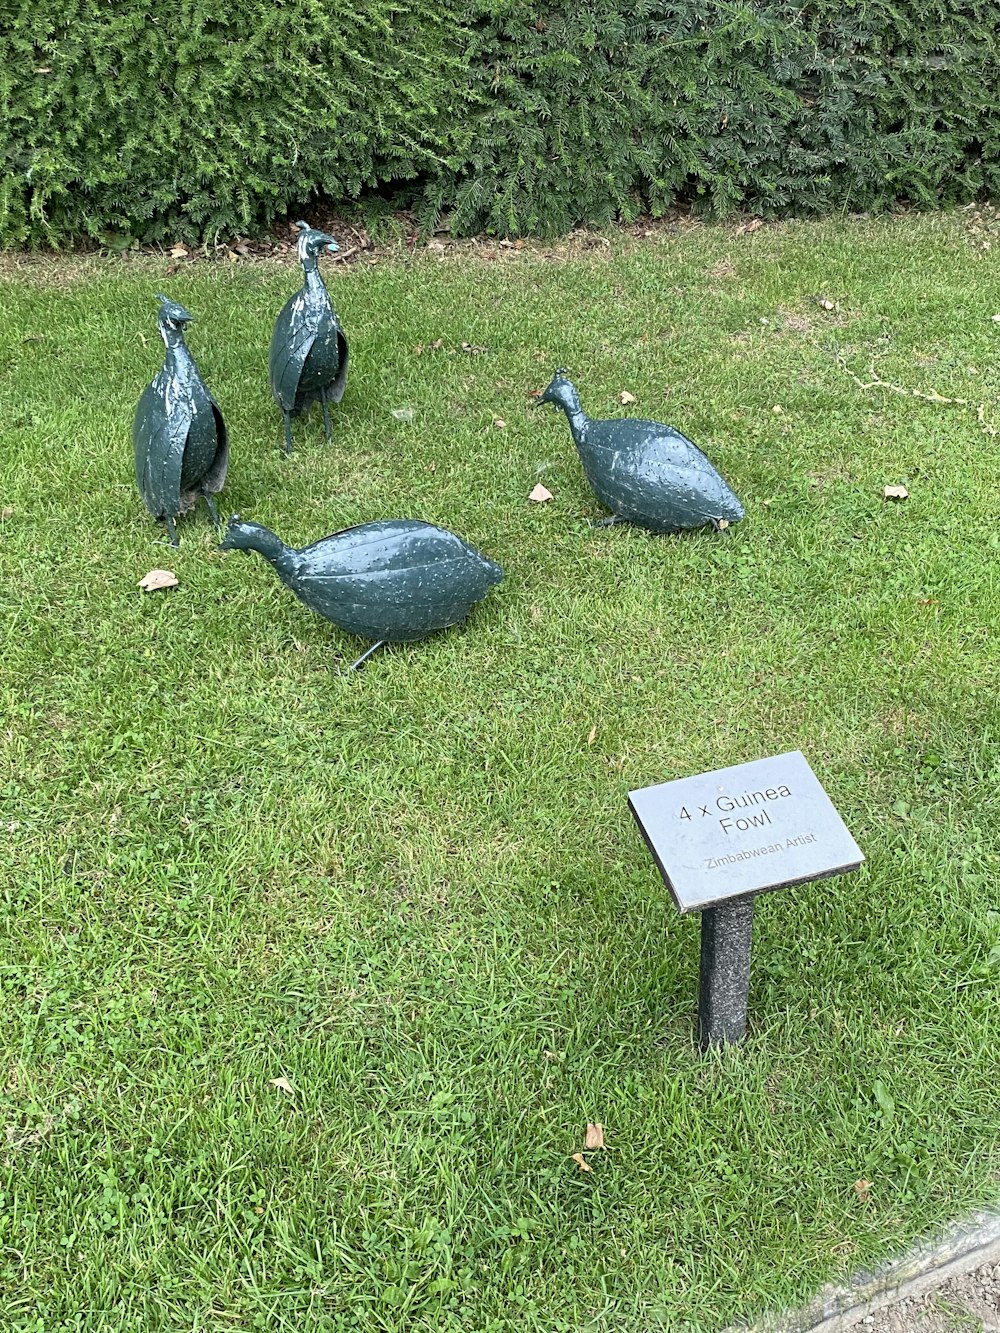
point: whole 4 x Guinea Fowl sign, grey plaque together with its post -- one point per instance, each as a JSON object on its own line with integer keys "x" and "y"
{"x": 719, "y": 839}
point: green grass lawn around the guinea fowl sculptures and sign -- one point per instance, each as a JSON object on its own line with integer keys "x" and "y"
{"x": 417, "y": 892}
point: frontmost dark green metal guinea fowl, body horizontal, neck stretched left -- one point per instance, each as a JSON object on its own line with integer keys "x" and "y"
{"x": 391, "y": 582}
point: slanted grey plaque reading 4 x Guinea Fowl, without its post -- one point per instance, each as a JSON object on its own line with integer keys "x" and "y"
{"x": 743, "y": 830}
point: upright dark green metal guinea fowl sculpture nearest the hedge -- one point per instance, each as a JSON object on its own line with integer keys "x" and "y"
{"x": 307, "y": 362}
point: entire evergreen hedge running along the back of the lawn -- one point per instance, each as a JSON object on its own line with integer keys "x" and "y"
{"x": 191, "y": 119}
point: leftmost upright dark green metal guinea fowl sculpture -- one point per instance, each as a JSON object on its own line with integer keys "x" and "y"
{"x": 179, "y": 435}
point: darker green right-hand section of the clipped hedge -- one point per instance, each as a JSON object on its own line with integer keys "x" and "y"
{"x": 618, "y": 106}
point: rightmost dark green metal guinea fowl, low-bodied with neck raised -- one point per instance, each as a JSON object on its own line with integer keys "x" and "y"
{"x": 645, "y": 473}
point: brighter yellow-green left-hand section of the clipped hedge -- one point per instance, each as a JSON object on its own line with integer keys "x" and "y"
{"x": 189, "y": 118}
